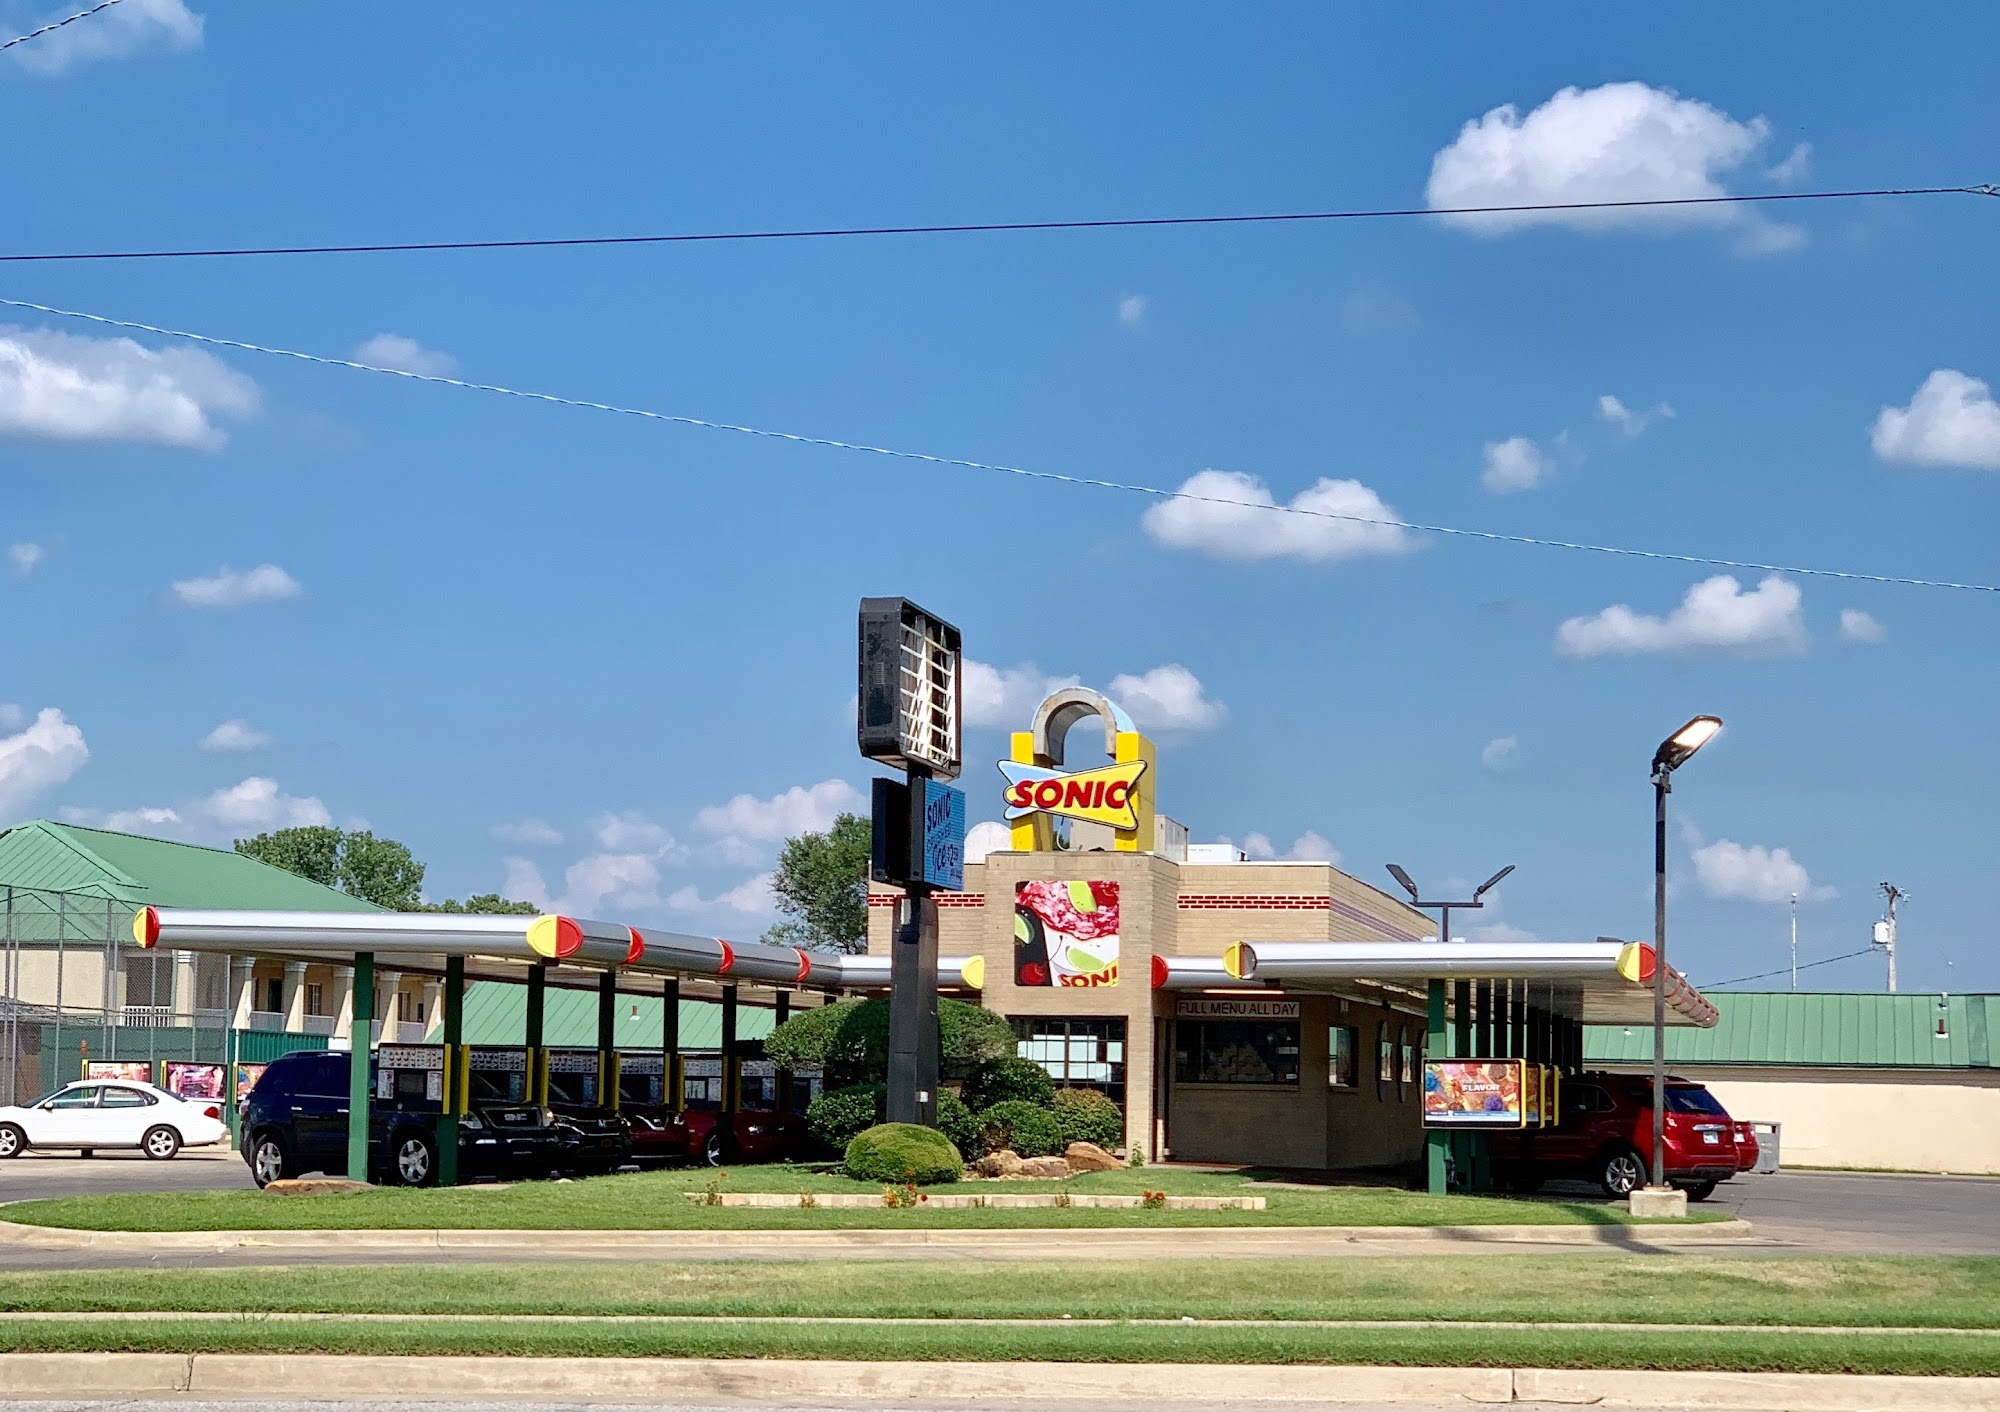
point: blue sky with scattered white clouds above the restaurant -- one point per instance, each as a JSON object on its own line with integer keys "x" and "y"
{"x": 609, "y": 661}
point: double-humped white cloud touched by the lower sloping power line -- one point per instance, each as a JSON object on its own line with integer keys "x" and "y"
{"x": 1235, "y": 517}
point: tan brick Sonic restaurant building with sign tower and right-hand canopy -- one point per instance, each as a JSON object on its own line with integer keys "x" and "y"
{"x": 1269, "y": 1013}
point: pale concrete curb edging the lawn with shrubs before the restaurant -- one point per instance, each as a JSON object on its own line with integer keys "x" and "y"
{"x": 669, "y": 1243}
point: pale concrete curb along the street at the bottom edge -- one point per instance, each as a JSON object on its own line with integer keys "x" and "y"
{"x": 943, "y": 1383}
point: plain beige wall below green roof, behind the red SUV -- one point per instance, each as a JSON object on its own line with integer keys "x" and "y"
{"x": 1909, "y": 1121}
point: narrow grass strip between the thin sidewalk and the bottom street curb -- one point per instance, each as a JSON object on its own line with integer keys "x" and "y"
{"x": 1129, "y": 1343}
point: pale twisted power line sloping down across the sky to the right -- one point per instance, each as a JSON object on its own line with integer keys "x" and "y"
{"x": 995, "y": 467}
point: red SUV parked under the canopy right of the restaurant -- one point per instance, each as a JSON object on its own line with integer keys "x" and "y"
{"x": 1607, "y": 1137}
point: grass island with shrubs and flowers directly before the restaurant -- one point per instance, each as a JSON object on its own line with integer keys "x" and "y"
{"x": 655, "y": 1201}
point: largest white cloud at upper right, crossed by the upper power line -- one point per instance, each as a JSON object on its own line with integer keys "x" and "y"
{"x": 1605, "y": 145}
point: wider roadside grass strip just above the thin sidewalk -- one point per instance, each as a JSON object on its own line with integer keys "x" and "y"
{"x": 1827, "y": 1291}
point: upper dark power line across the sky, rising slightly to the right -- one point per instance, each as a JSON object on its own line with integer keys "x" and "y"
{"x": 1129, "y": 223}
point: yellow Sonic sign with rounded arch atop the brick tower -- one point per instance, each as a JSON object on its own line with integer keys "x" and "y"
{"x": 1109, "y": 799}
